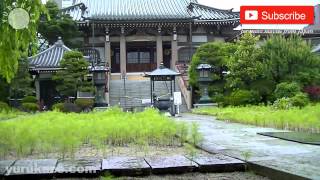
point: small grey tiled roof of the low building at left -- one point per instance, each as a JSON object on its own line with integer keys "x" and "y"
{"x": 49, "y": 58}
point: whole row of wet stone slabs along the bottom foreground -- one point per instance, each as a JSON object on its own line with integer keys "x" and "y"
{"x": 119, "y": 166}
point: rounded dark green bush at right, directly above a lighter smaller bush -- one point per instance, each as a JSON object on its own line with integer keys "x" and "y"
{"x": 287, "y": 90}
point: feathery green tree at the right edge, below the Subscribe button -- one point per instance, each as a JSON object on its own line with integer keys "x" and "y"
{"x": 291, "y": 59}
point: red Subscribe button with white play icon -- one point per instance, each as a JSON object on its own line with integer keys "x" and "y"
{"x": 276, "y": 14}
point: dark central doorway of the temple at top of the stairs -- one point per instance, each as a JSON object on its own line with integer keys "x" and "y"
{"x": 141, "y": 56}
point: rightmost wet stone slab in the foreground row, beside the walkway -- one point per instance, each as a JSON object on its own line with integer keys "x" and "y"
{"x": 218, "y": 163}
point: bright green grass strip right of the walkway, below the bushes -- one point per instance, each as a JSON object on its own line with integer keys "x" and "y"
{"x": 306, "y": 119}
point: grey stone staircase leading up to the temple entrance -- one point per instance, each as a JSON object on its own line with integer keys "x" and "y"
{"x": 136, "y": 90}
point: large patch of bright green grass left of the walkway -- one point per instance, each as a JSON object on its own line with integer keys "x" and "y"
{"x": 64, "y": 133}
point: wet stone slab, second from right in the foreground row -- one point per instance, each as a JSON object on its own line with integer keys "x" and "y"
{"x": 171, "y": 164}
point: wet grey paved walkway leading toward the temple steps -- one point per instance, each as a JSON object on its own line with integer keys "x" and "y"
{"x": 237, "y": 140}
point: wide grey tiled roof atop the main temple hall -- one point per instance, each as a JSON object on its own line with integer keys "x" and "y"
{"x": 147, "y": 10}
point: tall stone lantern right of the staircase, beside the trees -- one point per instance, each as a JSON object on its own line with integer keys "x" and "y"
{"x": 204, "y": 71}
